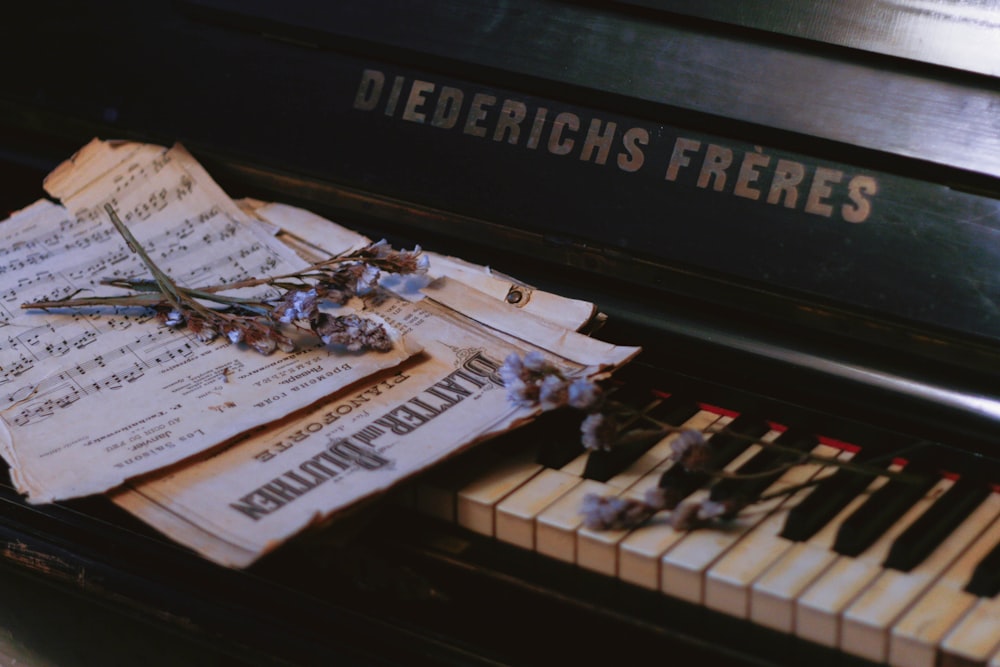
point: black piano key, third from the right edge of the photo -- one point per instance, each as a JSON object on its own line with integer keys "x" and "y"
{"x": 880, "y": 511}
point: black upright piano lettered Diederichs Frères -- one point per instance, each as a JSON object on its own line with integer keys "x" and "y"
{"x": 793, "y": 207}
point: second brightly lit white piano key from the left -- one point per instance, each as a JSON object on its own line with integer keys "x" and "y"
{"x": 515, "y": 514}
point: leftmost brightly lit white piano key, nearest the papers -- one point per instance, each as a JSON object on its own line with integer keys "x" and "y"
{"x": 476, "y": 501}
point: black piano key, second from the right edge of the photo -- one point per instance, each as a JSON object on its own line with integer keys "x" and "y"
{"x": 925, "y": 534}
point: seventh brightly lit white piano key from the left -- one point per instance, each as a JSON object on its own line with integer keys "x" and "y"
{"x": 728, "y": 582}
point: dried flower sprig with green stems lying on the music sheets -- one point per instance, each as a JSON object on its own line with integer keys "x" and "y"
{"x": 257, "y": 322}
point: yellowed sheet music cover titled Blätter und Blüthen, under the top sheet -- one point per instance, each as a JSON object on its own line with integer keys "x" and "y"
{"x": 238, "y": 504}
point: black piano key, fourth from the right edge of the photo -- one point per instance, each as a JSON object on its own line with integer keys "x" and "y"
{"x": 828, "y": 498}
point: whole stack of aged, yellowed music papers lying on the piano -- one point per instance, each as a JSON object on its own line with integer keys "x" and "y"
{"x": 225, "y": 450}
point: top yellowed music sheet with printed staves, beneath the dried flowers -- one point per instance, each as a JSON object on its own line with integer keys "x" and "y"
{"x": 91, "y": 398}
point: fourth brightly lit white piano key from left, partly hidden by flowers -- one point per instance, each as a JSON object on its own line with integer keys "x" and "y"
{"x": 597, "y": 550}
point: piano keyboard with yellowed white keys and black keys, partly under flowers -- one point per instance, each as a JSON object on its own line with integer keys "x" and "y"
{"x": 890, "y": 571}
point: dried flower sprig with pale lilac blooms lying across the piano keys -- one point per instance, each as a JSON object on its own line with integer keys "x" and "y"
{"x": 610, "y": 425}
